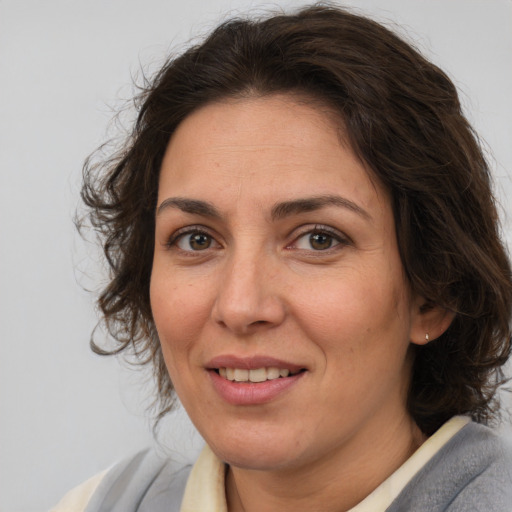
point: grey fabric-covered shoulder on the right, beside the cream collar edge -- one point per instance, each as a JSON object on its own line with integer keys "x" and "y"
{"x": 472, "y": 472}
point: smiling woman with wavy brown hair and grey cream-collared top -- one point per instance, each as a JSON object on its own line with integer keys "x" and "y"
{"x": 304, "y": 244}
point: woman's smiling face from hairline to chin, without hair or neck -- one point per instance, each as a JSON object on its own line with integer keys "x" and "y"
{"x": 276, "y": 255}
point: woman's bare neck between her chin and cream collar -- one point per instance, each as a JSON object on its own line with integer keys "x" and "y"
{"x": 334, "y": 483}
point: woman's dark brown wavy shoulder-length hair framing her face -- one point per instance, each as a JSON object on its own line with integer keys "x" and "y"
{"x": 402, "y": 116}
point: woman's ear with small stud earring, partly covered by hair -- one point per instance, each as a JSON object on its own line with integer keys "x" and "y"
{"x": 429, "y": 321}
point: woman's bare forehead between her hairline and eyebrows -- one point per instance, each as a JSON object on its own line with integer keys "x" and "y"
{"x": 262, "y": 148}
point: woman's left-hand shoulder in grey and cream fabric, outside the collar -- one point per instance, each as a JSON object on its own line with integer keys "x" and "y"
{"x": 145, "y": 481}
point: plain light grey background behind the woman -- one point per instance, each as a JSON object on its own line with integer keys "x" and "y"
{"x": 65, "y": 413}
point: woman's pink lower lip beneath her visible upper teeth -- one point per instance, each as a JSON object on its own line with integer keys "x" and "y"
{"x": 252, "y": 393}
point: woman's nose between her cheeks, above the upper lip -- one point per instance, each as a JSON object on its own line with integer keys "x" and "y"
{"x": 247, "y": 299}
